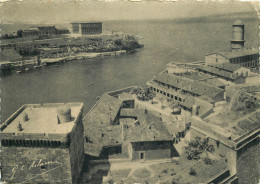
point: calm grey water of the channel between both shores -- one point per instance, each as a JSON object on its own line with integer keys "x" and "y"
{"x": 164, "y": 41}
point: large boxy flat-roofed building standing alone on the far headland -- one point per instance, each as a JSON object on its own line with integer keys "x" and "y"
{"x": 87, "y": 28}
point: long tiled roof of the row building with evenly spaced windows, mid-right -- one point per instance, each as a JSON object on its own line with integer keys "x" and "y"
{"x": 197, "y": 87}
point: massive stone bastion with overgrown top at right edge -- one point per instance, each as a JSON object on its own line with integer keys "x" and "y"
{"x": 233, "y": 130}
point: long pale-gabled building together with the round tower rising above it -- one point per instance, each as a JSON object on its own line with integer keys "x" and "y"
{"x": 238, "y": 54}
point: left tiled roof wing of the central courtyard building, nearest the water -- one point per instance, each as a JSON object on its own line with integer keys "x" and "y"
{"x": 97, "y": 126}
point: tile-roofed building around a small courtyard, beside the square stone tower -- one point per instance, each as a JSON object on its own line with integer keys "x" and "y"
{"x": 120, "y": 130}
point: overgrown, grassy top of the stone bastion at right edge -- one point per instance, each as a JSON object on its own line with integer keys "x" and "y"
{"x": 238, "y": 118}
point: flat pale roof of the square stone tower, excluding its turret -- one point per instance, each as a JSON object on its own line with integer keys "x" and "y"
{"x": 42, "y": 119}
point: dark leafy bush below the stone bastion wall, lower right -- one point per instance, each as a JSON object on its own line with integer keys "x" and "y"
{"x": 197, "y": 147}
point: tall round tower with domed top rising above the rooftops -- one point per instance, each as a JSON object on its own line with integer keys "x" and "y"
{"x": 238, "y": 41}
